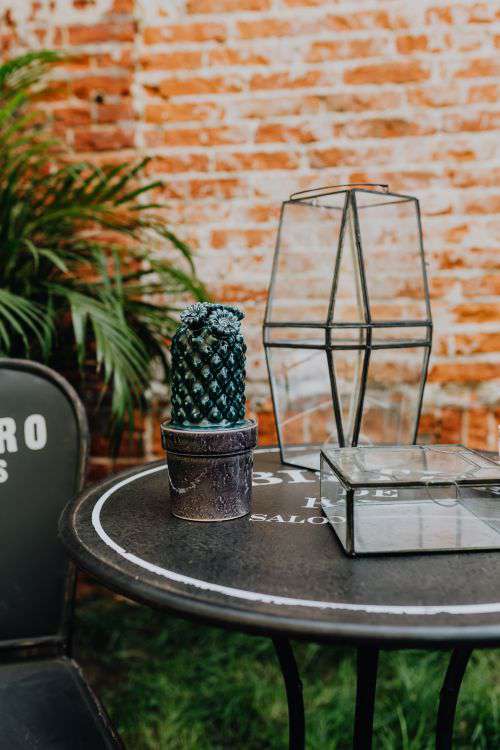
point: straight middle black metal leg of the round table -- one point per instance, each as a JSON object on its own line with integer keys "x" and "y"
{"x": 367, "y": 667}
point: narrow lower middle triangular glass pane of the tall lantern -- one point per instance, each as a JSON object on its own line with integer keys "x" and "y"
{"x": 348, "y": 366}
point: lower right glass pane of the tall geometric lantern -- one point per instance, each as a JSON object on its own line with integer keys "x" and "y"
{"x": 392, "y": 395}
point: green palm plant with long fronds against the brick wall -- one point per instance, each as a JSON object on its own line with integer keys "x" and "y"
{"x": 80, "y": 288}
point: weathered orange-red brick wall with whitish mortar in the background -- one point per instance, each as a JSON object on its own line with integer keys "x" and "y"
{"x": 241, "y": 102}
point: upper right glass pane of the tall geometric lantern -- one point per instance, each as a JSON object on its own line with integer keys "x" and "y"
{"x": 392, "y": 257}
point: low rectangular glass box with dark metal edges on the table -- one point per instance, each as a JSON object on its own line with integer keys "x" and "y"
{"x": 415, "y": 498}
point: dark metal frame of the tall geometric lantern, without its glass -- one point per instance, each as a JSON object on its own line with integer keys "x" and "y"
{"x": 366, "y": 328}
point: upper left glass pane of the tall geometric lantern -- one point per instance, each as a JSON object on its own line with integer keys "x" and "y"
{"x": 303, "y": 270}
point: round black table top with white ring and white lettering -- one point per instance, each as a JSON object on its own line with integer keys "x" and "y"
{"x": 279, "y": 570}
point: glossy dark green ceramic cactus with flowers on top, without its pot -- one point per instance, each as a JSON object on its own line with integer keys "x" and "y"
{"x": 208, "y": 367}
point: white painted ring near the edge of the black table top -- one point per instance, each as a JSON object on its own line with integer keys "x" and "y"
{"x": 254, "y": 596}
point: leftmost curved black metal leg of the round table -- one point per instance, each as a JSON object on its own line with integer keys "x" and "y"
{"x": 293, "y": 686}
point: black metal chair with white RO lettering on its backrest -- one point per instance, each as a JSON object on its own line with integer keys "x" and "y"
{"x": 45, "y": 702}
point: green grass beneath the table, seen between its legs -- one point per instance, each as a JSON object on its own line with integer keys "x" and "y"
{"x": 169, "y": 684}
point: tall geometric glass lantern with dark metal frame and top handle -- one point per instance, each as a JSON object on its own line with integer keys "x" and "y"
{"x": 347, "y": 329}
